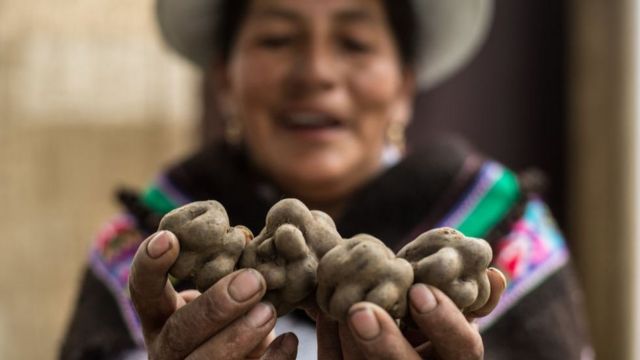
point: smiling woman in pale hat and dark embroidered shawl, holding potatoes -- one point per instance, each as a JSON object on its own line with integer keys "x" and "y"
{"x": 316, "y": 95}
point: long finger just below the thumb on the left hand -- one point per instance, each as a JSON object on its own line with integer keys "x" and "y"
{"x": 227, "y": 300}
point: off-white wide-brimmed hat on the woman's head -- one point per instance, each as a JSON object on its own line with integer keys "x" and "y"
{"x": 452, "y": 31}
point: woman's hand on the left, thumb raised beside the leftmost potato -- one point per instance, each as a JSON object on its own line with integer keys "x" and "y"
{"x": 227, "y": 321}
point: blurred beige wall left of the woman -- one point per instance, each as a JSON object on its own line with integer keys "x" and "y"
{"x": 89, "y": 99}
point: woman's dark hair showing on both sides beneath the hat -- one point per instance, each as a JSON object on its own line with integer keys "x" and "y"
{"x": 400, "y": 14}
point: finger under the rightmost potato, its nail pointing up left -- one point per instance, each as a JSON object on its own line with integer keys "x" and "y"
{"x": 451, "y": 336}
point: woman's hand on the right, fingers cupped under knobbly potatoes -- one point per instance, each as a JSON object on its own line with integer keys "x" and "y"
{"x": 372, "y": 334}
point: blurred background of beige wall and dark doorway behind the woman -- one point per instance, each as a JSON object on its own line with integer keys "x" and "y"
{"x": 90, "y": 99}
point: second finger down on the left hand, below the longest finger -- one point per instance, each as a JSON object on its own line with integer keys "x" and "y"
{"x": 238, "y": 339}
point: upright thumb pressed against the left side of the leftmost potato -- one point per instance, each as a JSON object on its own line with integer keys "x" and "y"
{"x": 152, "y": 294}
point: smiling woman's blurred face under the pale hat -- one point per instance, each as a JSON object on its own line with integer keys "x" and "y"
{"x": 315, "y": 85}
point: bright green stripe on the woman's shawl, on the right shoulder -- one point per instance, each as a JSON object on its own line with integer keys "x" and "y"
{"x": 493, "y": 206}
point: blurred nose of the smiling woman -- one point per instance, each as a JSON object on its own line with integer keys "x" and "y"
{"x": 314, "y": 69}
